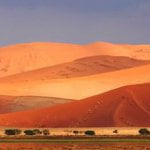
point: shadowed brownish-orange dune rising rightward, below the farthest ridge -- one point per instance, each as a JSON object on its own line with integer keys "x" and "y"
{"x": 80, "y": 67}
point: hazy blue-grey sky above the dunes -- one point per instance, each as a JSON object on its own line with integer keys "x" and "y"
{"x": 74, "y": 21}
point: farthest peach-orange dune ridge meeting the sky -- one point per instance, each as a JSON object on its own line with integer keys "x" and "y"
{"x": 25, "y": 57}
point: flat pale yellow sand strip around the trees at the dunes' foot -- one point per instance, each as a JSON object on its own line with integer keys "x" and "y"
{"x": 98, "y": 131}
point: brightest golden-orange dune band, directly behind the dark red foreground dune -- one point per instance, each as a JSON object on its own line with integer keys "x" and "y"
{"x": 77, "y": 88}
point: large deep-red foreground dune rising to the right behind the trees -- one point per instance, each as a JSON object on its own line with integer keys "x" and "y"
{"x": 126, "y": 106}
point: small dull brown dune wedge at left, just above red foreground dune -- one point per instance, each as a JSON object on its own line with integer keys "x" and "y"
{"x": 14, "y": 104}
